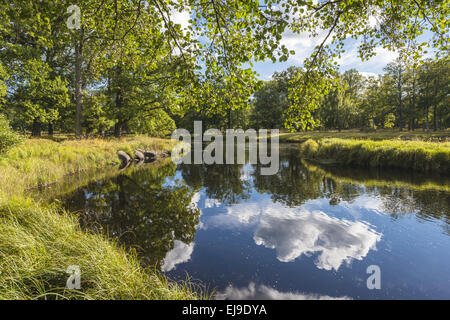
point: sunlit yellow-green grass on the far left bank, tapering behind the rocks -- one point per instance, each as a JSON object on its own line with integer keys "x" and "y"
{"x": 42, "y": 161}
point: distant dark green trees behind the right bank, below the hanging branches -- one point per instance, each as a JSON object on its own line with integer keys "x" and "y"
{"x": 403, "y": 97}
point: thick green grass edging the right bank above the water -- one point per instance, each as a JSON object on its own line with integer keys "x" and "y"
{"x": 415, "y": 155}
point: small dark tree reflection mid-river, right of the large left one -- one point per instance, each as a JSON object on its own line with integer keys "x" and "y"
{"x": 221, "y": 181}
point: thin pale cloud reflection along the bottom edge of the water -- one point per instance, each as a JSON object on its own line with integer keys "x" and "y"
{"x": 262, "y": 292}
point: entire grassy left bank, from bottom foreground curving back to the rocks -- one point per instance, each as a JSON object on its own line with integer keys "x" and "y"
{"x": 39, "y": 242}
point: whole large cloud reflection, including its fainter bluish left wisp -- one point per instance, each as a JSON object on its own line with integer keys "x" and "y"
{"x": 293, "y": 232}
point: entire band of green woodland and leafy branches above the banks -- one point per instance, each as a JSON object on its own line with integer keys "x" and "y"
{"x": 133, "y": 70}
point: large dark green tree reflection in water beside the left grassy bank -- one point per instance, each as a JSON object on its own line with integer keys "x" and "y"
{"x": 135, "y": 208}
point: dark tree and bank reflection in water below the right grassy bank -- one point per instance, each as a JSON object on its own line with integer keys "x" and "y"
{"x": 298, "y": 181}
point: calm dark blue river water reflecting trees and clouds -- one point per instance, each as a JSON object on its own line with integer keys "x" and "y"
{"x": 308, "y": 232}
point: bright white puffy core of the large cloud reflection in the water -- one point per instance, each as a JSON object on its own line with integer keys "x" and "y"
{"x": 296, "y": 234}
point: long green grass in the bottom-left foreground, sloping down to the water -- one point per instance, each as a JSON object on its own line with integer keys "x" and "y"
{"x": 38, "y": 244}
